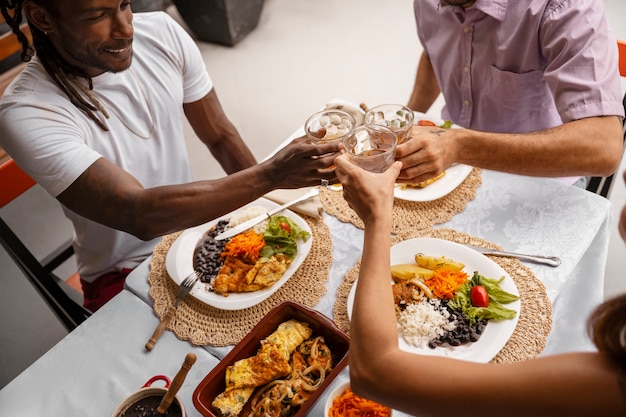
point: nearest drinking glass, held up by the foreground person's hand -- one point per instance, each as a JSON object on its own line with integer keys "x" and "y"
{"x": 372, "y": 147}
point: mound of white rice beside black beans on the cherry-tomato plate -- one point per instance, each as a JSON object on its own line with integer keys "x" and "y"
{"x": 424, "y": 321}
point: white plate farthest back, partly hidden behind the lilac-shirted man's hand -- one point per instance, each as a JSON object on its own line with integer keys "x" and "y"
{"x": 455, "y": 175}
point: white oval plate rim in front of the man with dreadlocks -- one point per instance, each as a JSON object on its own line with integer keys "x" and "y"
{"x": 179, "y": 263}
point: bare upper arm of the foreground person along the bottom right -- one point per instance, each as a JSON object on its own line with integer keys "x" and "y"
{"x": 569, "y": 385}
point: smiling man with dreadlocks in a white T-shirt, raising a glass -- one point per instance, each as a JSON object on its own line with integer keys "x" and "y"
{"x": 96, "y": 118}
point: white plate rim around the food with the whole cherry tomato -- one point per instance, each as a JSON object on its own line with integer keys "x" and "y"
{"x": 496, "y": 333}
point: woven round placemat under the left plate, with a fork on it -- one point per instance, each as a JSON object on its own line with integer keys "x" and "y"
{"x": 205, "y": 325}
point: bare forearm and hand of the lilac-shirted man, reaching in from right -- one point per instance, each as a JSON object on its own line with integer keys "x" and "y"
{"x": 585, "y": 147}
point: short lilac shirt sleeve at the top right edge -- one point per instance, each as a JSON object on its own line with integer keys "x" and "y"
{"x": 582, "y": 61}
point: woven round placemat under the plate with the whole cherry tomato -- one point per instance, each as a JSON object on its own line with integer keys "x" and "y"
{"x": 535, "y": 319}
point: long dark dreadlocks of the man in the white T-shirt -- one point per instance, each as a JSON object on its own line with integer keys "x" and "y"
{"x": 66, "y": 76}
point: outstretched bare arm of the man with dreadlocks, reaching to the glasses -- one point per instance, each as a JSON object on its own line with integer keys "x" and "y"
{"x": 107, "y": 194}
